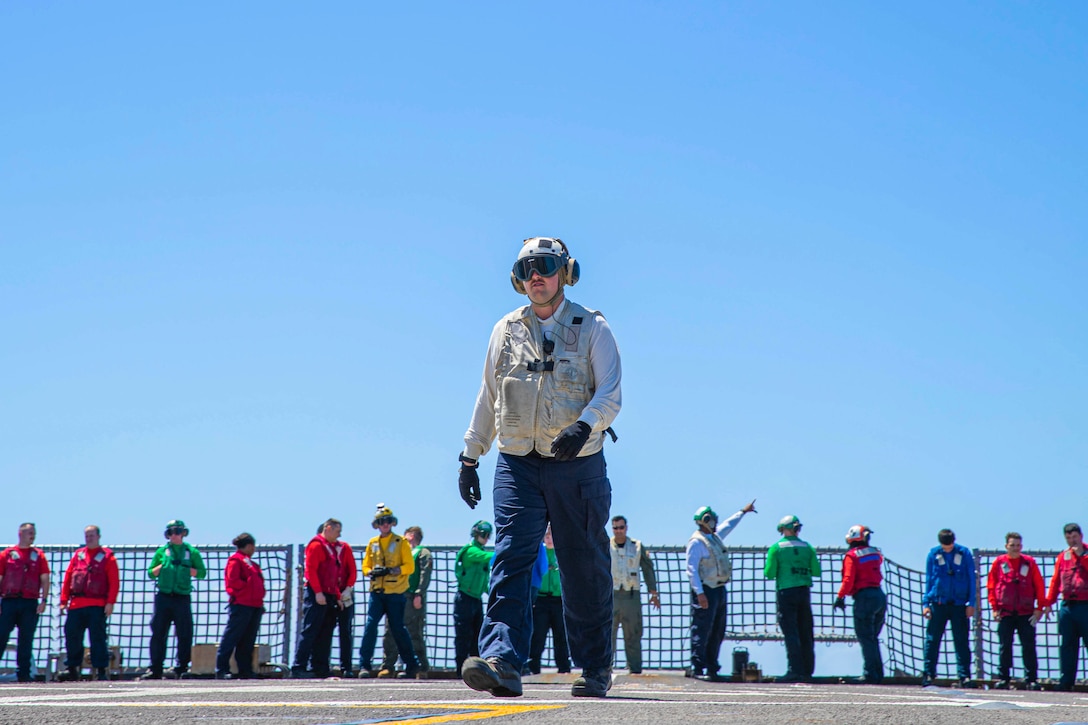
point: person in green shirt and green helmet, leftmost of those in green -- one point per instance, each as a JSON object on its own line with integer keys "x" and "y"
{"x": 174, "y": 567}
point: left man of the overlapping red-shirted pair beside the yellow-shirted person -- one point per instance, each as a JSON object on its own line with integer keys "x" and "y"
{"x": 320, "y": 603}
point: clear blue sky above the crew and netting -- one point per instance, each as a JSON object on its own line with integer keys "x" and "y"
{"x": 251, "y": 256}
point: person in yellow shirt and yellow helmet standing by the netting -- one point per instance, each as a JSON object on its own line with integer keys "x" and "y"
{"x": 388, "y": 562}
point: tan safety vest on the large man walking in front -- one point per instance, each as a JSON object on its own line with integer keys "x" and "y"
{"x": 536, "y": 404}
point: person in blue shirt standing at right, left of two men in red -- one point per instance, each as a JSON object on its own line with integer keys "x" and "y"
{"x": 949, "y": 598}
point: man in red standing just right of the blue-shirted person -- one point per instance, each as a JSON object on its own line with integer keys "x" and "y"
{"x": 1015, "y": 586}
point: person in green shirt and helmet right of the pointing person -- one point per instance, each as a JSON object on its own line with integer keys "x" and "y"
{"x": 793, "y": 564}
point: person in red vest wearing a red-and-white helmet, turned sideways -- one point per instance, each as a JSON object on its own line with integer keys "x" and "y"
{"x": 861, "y": 580}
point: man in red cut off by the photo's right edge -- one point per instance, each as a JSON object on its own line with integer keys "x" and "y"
{"x": 1071, "y": 581}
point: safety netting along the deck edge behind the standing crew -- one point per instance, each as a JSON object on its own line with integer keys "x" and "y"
{"x": 666, "y": 638}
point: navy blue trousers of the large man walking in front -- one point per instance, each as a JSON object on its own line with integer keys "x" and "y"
{"x": 575, "y": 497}
